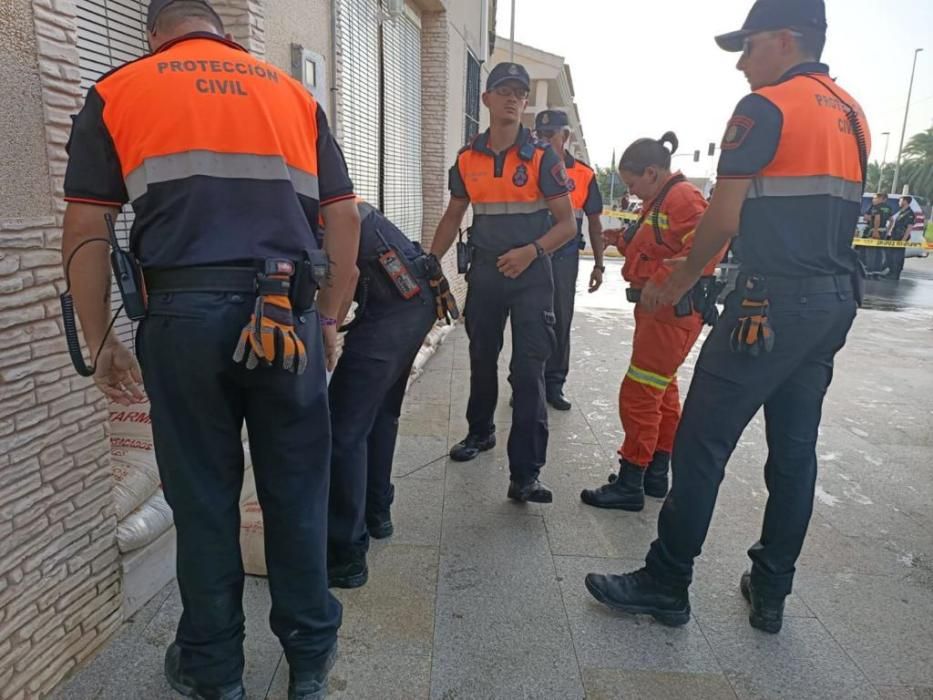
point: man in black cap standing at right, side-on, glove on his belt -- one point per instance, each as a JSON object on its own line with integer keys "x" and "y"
{"x": 790, "y": 184}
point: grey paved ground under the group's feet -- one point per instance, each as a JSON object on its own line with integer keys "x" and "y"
{"x": 478, "y": 598}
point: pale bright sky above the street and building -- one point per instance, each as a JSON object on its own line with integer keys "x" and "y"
{"x": 642, "y": 68}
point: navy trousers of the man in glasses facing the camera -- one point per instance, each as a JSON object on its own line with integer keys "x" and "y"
{"x": 491, "y": 299}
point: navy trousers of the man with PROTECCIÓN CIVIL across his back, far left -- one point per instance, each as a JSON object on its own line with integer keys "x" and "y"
{"x": 199, "y": 401}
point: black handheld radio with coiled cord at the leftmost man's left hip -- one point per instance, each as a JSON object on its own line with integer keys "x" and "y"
{"x": 129, "y": 279}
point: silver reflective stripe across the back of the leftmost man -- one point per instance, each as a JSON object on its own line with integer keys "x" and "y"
{"x": 179, "y": 166}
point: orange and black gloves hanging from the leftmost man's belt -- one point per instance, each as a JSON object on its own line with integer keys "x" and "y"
{"x": 269, "y": 337}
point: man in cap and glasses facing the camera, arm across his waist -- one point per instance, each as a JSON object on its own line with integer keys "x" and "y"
{"x": 521, "y": 212}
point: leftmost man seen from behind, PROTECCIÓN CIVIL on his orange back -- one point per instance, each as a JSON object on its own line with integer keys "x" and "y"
{"x": 227, "y": 163}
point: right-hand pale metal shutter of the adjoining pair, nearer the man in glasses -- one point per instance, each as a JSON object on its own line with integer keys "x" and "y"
{"x": 402, "y": 199}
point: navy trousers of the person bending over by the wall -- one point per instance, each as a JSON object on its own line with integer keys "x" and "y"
{"x": 366, "y": 394}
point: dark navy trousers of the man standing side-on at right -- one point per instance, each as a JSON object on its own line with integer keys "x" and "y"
{"x": 727, "y": 391}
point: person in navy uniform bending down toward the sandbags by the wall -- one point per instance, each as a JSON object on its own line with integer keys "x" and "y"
{"x": 368, "y": 388}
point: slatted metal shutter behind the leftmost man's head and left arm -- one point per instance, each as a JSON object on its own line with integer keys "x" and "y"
{"x": 110, "y": 33}
